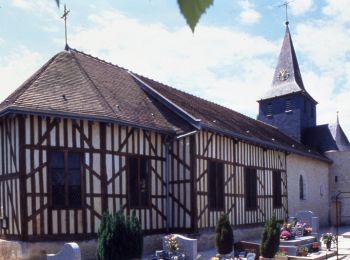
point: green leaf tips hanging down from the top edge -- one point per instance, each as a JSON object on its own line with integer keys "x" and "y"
{"x": 191, "y": 10}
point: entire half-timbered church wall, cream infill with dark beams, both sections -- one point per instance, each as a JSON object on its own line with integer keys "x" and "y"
{"x": 176, "y": 165}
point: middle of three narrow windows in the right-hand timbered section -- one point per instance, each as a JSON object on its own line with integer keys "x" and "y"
{"x": 250, "y": 181}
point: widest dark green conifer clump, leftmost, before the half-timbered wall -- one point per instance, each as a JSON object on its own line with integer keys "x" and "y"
{"x": 119, "y": 237}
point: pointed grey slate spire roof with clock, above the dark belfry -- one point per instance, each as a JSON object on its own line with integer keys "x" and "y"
{"x": 288, "y": 63}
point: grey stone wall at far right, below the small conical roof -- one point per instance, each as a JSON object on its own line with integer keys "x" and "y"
{"x": 339, "y": 181}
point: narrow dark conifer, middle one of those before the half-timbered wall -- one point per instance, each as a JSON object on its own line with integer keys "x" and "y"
{"x": 224, "y": 235}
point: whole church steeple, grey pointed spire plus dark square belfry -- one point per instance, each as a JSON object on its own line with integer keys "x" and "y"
{"x": 287, "y": 105}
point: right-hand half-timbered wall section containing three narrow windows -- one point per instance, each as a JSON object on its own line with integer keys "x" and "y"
{"x": 237, "y": 155}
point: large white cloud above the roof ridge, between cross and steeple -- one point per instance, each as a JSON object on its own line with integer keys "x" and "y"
{"x": 219, "y": 64}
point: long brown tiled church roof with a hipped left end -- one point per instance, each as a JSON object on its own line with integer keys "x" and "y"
{"x": 75, "y": 84}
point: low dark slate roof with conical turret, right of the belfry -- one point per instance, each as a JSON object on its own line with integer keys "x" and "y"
{"x": 327, "y": 137}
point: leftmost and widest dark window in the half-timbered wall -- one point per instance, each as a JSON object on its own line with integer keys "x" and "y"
{"x": 65, "y": 172}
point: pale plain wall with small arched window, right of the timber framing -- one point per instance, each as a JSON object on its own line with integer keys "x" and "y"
{"x": 316, "y": 187}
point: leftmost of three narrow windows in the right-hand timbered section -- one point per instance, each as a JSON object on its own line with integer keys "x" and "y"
{"x": 216, "y": 185}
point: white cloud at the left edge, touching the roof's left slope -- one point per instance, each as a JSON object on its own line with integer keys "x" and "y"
{"x": 16, "y": 67}
